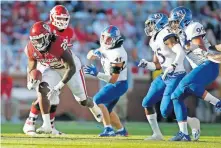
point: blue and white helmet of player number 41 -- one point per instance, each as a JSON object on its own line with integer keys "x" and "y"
{"x": 109, "y": 37}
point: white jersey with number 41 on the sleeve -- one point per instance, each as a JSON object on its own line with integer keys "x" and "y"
{"x": 114, "y": 56}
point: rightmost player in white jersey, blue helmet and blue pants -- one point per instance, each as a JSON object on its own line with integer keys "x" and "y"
{"x": 204, "y": 72}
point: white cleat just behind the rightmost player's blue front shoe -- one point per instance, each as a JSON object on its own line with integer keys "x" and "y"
{"x": 194, "y": 124}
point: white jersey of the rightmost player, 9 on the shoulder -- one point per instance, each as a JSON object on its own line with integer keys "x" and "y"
{"x": 196, "y": 56}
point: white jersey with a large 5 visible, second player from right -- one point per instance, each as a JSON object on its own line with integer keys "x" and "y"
{"x": 164, "y": 54}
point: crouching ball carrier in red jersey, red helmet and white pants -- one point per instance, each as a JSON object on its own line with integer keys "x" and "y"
{"x": 59, "y": 66}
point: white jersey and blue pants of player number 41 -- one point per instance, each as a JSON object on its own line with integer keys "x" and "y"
{"x": 110, "y": 93}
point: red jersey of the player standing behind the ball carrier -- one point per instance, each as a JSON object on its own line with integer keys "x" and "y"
{"x": 66, "y": 33}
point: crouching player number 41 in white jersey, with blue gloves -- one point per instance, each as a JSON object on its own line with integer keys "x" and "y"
{"x": 114, "y": 61}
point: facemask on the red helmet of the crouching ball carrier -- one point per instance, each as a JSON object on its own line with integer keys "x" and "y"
{"x": 41, "y": 41}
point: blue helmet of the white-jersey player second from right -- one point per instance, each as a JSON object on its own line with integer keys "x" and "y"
{"x": 154, "y": 23}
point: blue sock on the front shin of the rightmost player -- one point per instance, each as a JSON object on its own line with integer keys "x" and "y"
{"x": 180, "y": 110}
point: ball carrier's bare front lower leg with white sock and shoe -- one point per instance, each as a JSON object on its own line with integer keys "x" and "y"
{"x": 45, "y": 107}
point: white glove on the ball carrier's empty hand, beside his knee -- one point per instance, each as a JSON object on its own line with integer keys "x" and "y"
{"x": 54, "y": 92}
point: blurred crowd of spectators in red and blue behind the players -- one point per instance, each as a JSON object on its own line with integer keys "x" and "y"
{"x": 88, "y": 19}
